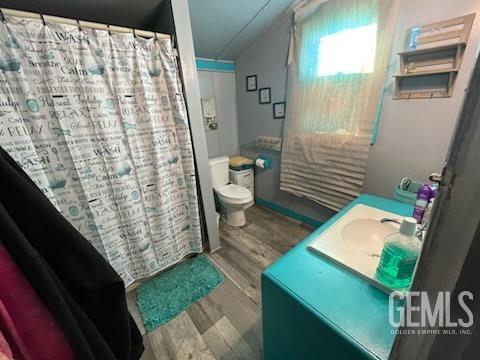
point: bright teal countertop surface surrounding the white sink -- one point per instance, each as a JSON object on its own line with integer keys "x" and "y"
{"x": 348, "y": 304}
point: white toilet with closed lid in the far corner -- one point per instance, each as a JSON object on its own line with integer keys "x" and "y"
{"x": 233, "y": 198}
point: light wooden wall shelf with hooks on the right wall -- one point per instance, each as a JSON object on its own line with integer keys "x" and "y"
{"x": 428, "y": 69}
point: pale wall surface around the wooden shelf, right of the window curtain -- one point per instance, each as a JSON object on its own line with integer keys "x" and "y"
{"x": 414, "y": 135}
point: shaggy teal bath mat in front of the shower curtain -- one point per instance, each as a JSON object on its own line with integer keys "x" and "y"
{"x": 165, "y": 296}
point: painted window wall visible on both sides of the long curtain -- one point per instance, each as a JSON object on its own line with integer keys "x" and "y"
{"x": 414, "y": 135}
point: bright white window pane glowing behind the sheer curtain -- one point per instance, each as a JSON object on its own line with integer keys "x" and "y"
{"x": 350, "y": 51}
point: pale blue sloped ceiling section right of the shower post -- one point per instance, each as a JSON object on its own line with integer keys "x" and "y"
{"x": 224, "y": 29}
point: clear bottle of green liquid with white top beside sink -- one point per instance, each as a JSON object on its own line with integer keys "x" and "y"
{"x": 399, "y": 256}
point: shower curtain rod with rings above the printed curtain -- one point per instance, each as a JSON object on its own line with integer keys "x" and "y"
{"x": 83, "y": 24}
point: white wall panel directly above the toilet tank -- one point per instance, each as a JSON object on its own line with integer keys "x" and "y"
{"x": 221, "y": 87}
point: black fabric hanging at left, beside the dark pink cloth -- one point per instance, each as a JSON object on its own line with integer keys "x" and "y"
{"x": 82, "y": 291}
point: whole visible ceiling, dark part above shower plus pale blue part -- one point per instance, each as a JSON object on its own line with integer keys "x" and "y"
{"x": 222, "y": 29}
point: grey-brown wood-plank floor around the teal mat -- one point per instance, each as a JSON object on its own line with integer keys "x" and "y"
{"x": 226, "y": 324}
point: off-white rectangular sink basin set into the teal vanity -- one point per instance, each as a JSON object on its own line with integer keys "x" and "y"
{"x": 355, "y": 241}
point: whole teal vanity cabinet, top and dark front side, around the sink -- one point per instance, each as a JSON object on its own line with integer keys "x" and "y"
{"x": 314, "y": 309}
